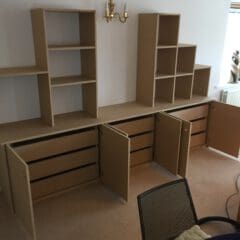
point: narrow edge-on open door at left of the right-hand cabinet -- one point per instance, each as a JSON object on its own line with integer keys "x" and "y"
{"x": 185, "y": 148}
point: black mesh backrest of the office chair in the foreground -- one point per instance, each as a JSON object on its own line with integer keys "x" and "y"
{"x": 166, "y": 211}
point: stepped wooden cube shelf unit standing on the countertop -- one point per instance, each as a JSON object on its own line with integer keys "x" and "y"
{"x": 166, "y": 68}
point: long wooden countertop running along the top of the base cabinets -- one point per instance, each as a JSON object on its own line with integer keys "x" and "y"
{"x": 28, "y": 129}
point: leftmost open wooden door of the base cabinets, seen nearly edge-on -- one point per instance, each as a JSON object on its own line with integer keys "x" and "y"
{"x": 21, "y": 191}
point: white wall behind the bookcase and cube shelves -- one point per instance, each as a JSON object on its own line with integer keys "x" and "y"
{"x": 202, "y": 23}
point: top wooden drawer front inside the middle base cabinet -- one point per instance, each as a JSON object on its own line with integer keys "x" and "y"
{"x": 136, "y": 126}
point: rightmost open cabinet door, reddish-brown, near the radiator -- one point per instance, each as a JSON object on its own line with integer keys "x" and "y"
{"x": 224, "y": 128}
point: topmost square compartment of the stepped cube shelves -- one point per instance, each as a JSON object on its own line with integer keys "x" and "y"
{"x": 168, "y": 29}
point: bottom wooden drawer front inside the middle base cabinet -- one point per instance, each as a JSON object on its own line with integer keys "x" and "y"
{"x": 141, "y": 156}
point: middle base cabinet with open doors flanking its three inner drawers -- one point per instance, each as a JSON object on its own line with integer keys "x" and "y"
{"x": 160, "y": 137}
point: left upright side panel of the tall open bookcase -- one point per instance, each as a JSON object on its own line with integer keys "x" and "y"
{"x": 41, "y": 55}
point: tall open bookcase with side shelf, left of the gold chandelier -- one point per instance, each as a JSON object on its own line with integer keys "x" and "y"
{"x": 62, "y": 35}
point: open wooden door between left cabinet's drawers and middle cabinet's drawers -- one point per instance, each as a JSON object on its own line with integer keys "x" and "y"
{"x": 115, "y": 160}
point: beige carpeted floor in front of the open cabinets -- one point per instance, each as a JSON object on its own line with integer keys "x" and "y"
{"x": 96, "y": 213}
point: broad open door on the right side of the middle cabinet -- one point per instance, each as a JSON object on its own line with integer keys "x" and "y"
{"x": 167, "y": 142}
